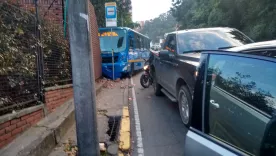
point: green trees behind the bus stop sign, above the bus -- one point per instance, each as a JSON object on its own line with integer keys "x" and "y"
{"x": 124, "y": 17}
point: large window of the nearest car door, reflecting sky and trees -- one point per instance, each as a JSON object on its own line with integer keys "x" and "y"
{"x": 240, "y": 100}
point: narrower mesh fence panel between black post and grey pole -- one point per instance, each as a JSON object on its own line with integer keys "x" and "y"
{"x": 56, "y": 56}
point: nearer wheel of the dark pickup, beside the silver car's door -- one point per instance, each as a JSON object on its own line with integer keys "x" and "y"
{"x": 185, "y": 105}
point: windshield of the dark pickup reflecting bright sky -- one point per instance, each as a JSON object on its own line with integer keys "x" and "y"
{"x": 210, "y": 40}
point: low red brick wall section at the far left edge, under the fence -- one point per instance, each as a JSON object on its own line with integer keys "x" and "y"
{"x": 10, "y": 129}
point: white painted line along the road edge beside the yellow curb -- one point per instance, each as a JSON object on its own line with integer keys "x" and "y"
{"x": 139, "y": 141}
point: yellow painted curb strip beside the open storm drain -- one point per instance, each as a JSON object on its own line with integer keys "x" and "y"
{"x": 124, "y": 139}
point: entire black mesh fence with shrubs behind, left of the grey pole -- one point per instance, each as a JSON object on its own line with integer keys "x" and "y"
{"x": 32, "y": 56}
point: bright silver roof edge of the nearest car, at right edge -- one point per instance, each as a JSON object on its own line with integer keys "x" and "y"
{"x": 255, "y": 46}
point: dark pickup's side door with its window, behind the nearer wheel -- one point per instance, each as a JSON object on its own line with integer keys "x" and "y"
{"x": 169, "y": 65}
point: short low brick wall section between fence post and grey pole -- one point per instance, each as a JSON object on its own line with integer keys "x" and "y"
{"x": 57, "y": 97}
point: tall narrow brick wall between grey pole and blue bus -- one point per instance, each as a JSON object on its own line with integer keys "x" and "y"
{"x": 95, "y": 43}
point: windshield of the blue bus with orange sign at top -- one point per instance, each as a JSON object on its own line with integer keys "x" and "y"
{"x": 115, "y": 39}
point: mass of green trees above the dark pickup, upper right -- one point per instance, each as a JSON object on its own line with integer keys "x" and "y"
{"x": 254, "y": 17}
